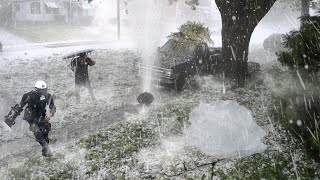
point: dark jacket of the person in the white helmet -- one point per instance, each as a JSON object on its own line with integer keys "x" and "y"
{"x": 36, "y": 105}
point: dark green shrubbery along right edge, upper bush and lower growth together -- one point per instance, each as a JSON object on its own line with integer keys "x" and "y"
{"x": 299, "y": 110}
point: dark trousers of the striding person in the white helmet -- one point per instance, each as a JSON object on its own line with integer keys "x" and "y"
{"x": 40, "y": 128}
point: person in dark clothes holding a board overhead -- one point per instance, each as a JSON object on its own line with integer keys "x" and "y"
{"x": 80, "y": 65}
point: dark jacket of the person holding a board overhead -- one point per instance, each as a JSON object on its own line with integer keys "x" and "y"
{"x": 81, "y": 70}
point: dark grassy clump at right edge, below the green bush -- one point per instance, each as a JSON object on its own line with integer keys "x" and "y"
{"x": 298, "y": 112}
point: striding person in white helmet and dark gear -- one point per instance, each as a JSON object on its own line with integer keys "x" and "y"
{"x": 40, "y": 108}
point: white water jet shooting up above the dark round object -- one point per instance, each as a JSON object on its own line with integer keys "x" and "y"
{"x": 148, "y": 30}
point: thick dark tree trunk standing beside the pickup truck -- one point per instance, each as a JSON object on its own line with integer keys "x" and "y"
{"x": 239, "y": 18}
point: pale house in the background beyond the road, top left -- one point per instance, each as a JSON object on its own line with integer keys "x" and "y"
{"x": 68, "y": 11}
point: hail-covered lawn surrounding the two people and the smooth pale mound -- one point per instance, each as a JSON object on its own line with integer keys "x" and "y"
{"x": 145, "y": 142}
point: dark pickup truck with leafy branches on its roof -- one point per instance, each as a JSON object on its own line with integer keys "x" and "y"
{"x": 177, "y": 62}
